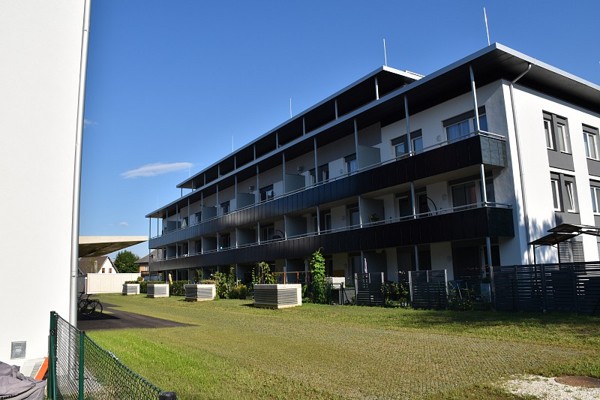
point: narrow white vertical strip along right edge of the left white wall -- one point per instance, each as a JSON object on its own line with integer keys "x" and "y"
{"x": 77, "y": 166}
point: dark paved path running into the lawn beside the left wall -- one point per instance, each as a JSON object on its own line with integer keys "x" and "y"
{"x": 113, "y": 318}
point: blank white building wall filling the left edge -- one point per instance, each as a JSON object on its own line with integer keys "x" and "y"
{"x": 41, "y": 80}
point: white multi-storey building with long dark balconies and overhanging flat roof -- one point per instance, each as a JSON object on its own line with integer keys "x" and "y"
{"x": 456, "y": 170}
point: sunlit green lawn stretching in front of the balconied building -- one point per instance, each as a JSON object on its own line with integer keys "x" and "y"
{"x": 231, "y": 350}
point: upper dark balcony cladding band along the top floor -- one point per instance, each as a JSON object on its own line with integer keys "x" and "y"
{"x": 472, "y": 151}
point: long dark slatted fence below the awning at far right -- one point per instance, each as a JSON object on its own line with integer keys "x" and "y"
{"x": 573, "y": 287}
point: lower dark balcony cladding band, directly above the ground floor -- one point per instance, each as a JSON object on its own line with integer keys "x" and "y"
{"x": 467, "y": 224}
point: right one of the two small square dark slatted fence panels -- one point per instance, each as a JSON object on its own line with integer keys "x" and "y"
{"x": 429, "y": 289}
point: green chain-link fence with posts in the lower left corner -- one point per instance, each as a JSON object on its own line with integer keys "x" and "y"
{"x": 80, "y": 369}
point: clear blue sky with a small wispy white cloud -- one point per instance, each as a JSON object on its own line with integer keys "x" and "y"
{"x": 174, "y": 85}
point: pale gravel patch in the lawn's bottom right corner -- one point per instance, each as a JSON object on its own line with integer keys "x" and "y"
{"x": 548, "y": 389}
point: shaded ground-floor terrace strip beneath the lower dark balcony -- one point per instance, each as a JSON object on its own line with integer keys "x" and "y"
{"x": 463, "y": 260}
